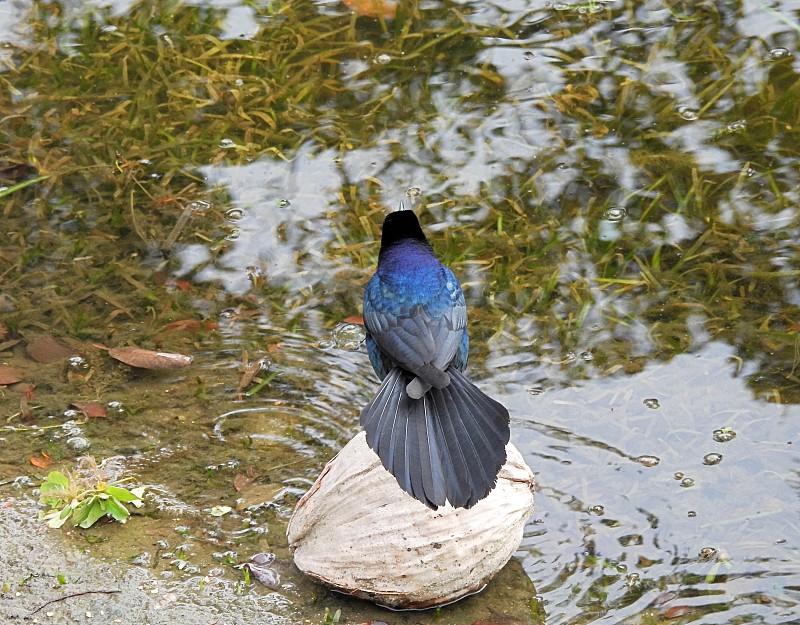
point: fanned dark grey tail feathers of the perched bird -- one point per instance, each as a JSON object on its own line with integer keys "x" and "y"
{"x": 448, "y": 445}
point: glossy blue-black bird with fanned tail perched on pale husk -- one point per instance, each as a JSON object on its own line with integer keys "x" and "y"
{"x": 441, "y": 437}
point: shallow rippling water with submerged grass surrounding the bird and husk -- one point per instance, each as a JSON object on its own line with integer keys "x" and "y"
{"x": 615, "y": 184}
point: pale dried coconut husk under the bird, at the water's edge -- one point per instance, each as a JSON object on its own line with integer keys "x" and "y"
{"x": 358, "y": 532}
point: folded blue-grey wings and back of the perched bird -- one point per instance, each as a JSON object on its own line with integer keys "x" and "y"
{"x": 416, "y": 335}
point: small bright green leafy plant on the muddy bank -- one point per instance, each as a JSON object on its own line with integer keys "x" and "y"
{"x": 86, "y": 498}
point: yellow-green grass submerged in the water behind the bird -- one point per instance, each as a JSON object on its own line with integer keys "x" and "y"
{"x": 134, "y": 104}
